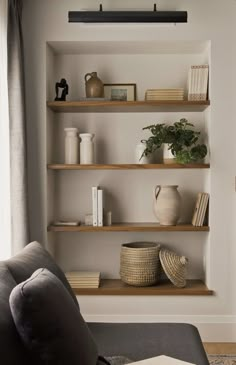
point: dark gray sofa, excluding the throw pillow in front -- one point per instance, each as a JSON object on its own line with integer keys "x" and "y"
{"x": 134, "y": 341}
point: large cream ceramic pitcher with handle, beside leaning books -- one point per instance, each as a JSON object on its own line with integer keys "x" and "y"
{"x": 167, "y": 204}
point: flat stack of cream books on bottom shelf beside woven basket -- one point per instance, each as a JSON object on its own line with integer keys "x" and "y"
{"x": 83, "y": 279}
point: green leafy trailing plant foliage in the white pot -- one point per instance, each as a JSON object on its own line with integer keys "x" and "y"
{"x": 181, "y": 138}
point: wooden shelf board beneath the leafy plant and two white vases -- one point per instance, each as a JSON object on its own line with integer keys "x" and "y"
{"x": 128, "y": 166}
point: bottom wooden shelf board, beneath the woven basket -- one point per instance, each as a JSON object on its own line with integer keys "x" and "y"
{"x": 117, "y": 287}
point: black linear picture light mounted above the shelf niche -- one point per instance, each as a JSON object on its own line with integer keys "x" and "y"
{"x": 154, "y": 16}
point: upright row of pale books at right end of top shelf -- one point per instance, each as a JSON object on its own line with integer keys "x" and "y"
{"x": 198, "y": 82}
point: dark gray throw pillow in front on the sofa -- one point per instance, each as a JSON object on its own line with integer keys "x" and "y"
{"x": 49, "y": 322}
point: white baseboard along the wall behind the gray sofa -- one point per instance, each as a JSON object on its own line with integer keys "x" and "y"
{"x": 211, "y": 328}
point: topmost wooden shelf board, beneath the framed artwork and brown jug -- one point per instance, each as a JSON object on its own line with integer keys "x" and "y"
{"x": 126, "y": 106}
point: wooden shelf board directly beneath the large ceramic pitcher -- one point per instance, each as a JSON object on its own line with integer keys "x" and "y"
{"x": 130, "y": 227}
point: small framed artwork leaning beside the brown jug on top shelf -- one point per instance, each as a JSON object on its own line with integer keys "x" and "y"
{"x": 120, "y": 92}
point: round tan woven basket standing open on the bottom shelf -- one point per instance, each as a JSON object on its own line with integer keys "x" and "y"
{"x": 140, "y": 263}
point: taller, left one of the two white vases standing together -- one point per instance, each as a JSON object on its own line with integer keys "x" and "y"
{"x": 71, "y": 146}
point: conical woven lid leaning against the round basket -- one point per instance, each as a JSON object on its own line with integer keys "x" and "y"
{"x": 174, "y": 267}
